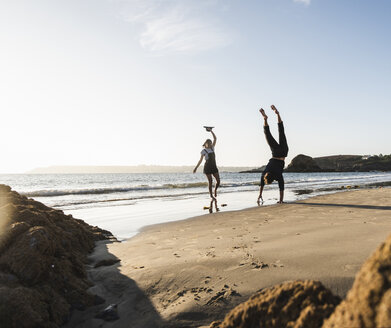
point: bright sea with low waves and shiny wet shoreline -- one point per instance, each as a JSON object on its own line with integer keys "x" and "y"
{"x": 124, "y": 203}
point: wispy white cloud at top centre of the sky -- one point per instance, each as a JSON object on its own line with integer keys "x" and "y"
{"x": 173, "y": 26}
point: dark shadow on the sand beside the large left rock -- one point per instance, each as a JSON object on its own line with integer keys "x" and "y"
{"x": 134, "y": 307}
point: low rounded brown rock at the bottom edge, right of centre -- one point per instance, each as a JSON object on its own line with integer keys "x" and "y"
{"x": 292, "y": 304}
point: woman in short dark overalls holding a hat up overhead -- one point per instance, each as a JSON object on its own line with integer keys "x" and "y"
{"x": 210, "y": 167}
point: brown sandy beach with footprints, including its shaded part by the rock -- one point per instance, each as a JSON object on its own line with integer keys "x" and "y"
{"x": 191, "y": 272}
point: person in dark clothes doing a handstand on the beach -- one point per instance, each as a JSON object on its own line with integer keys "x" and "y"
{"x": 274, "y": 168}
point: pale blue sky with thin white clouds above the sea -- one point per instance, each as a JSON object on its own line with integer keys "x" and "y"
{"x": 129, "y": 82}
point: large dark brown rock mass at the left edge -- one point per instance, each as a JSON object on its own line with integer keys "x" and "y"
{"x": 42, "y": 262}
